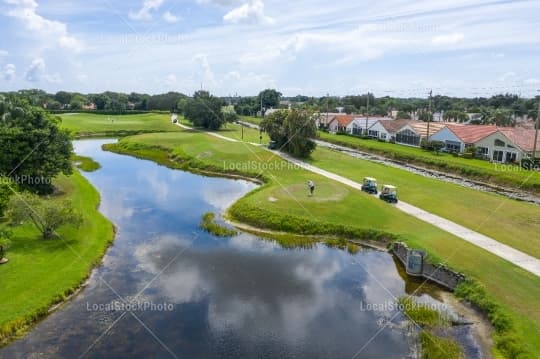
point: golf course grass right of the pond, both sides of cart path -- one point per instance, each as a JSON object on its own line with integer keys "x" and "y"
{"x": 283, "y": 204}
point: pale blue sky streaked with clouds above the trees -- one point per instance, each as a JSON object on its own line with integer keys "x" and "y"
{"x": 389, "y": 47}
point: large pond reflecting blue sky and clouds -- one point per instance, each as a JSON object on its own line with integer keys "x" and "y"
{"x": 167, "y": 290}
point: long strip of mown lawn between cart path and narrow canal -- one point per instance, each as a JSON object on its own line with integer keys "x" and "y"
{"x": 508, "y": 221}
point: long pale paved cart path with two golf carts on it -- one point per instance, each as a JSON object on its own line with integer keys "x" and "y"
{"x": 520, "y": 259}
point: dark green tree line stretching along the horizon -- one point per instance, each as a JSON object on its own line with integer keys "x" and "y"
{"x": 500, "y": 109}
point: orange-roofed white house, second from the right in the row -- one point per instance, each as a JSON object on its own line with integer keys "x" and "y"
{"x": 458, "y": 137}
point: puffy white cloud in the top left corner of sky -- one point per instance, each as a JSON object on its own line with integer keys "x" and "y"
{"x": 53, "y": 31}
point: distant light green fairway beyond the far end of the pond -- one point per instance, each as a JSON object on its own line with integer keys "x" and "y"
{"x": 88, "y": 124}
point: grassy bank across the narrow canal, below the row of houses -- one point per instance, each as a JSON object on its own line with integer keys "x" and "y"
{"x": 510, "y": 176}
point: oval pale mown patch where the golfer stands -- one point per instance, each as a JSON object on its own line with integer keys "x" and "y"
{"x": 324, "y": 192}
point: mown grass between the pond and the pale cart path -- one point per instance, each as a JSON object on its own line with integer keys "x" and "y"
{"x": 286, "y": 195}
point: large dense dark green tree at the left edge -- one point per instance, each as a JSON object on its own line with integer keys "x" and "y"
{"x": 38, "y": 149}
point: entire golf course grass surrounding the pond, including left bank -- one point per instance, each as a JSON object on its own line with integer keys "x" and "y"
{"x": 506, "y": 294}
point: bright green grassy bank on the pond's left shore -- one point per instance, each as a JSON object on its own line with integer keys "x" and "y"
{"x": 41, "y": 273}
